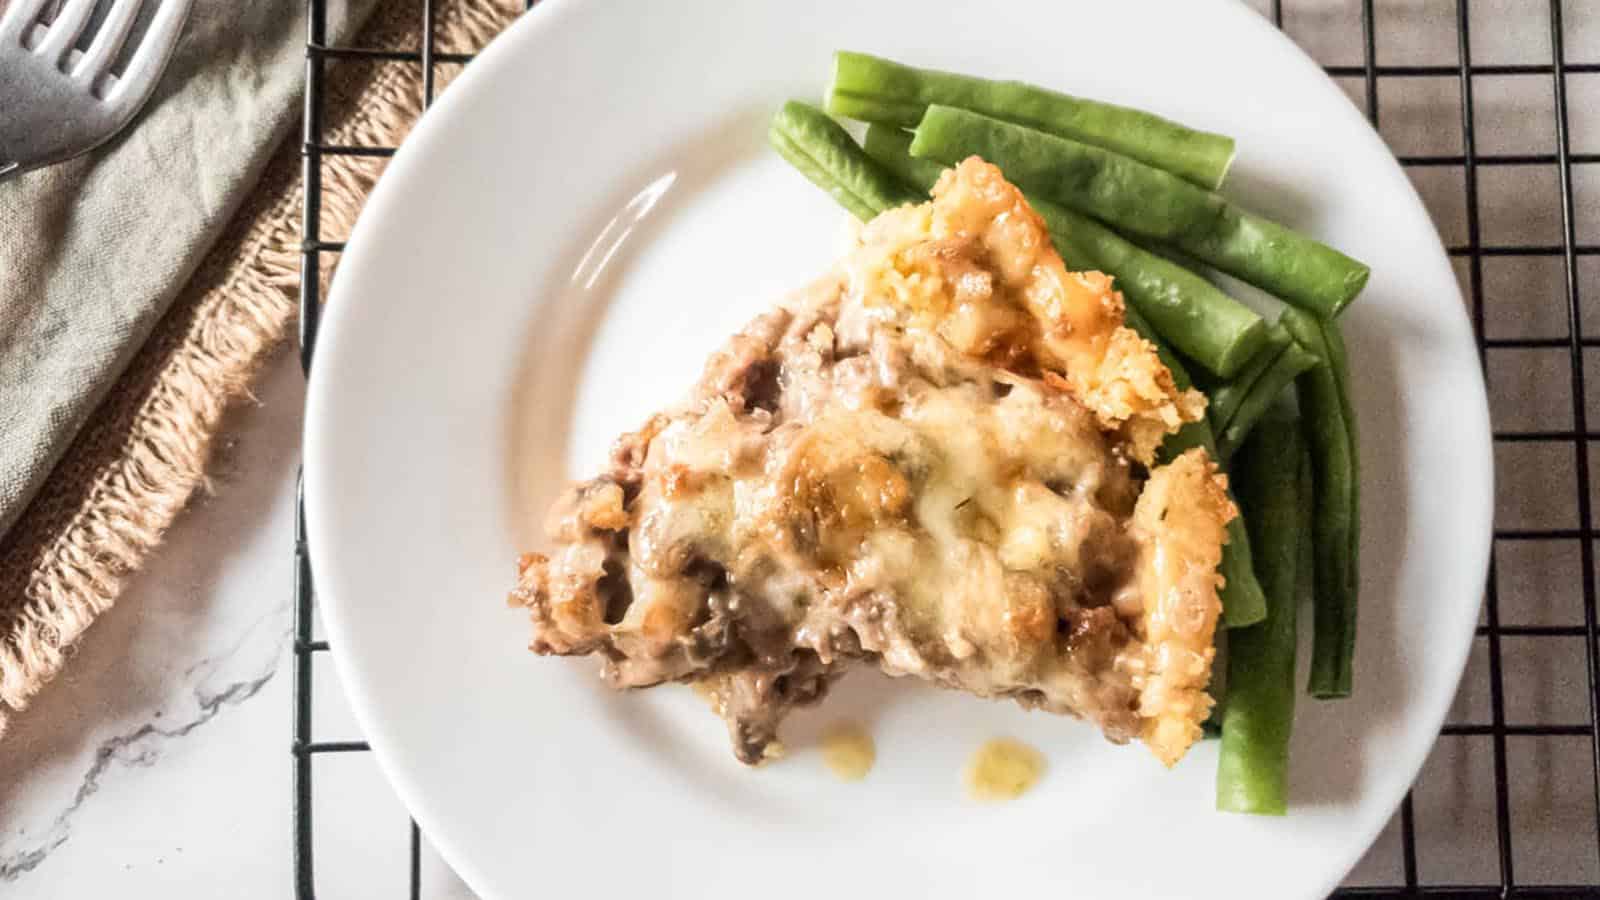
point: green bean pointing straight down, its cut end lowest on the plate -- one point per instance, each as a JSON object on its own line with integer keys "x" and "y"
{"x": 1252, "y": 765}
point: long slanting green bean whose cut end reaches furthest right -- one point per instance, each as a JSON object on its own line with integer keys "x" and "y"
{"x": 1151, "y": 204}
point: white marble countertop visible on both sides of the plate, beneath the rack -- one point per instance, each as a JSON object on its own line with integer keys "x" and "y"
{"x": 159, "y": 765}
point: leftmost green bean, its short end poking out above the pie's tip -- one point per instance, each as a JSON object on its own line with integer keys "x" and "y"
{"x": 825, "y": 153}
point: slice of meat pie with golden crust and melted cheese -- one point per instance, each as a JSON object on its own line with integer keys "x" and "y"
{"x": 937, "y": 460}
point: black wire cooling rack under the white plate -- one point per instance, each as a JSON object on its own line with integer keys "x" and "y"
{"x": 1369, "y": 74}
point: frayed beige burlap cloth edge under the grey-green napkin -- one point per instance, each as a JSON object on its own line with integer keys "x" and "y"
{"x": 135, "y": 465}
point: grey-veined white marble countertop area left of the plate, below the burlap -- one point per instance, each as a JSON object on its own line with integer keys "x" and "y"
{"x": 159, "y": 765}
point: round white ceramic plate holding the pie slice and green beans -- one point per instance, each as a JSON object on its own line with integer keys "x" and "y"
{"x": 588, "y": 212}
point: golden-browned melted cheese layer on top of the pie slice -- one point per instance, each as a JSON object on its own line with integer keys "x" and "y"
{"x": 969, "y": 510}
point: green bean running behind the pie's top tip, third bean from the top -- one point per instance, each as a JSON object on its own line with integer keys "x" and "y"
{"x": 1191, "y": 313}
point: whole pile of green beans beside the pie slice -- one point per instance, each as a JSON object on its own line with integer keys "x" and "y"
{"x": 1132, "y": 195}
